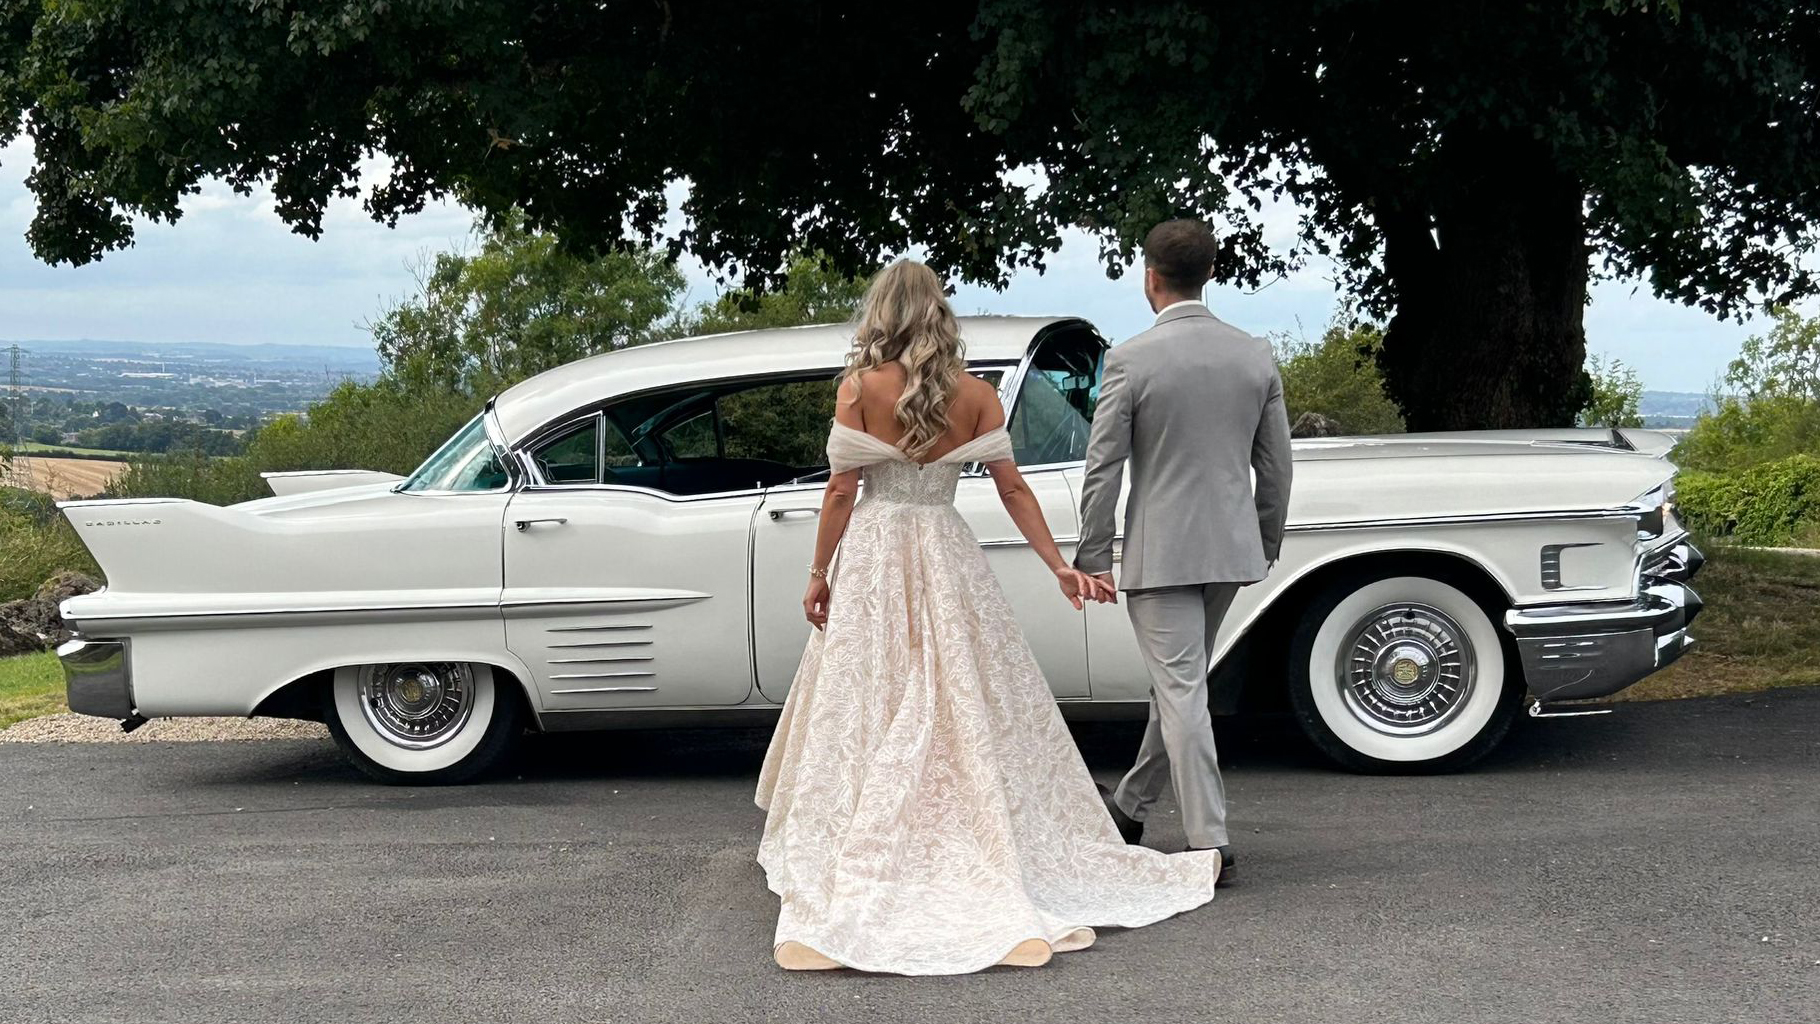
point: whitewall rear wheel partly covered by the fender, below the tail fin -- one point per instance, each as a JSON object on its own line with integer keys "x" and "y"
{"x": 423, "y": 723}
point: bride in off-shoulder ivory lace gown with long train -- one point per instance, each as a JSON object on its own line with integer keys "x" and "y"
{"x": 929, "y": 812}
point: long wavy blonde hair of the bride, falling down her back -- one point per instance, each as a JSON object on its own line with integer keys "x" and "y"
{"x": 905, "y": 317}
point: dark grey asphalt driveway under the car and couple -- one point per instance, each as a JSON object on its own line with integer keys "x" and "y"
{"x": 1659, "y": 865}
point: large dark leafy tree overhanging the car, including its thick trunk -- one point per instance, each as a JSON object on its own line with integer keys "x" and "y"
{"x": 1468, "y": 165}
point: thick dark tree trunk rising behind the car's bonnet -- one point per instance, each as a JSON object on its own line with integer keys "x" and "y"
{"x": 1490, "y": 283}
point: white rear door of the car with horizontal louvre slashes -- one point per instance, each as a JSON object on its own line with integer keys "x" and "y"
{"x": 622, "y": 596}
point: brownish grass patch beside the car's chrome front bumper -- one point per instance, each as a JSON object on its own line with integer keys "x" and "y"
{"x": 1761, "y": 628}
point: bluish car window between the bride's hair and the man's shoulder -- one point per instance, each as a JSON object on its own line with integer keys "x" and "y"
{"x": 1057, "y": 401}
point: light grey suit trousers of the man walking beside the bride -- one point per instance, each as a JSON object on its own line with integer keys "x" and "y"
{"x": 1177, "y": 632}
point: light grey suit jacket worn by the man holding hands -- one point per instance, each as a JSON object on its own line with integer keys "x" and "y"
{"x": 1195, "y": 407}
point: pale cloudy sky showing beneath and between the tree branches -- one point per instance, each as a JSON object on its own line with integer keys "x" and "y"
{"x": 232, "y": 272}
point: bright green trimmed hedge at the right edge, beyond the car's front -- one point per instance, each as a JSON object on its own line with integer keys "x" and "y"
{"x": 1777, "y": 503}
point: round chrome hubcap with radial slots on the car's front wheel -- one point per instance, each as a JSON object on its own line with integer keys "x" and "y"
{"x": 1406, "y": 670}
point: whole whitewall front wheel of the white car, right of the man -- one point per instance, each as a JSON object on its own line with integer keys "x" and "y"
{"x": 1402, "y": 674}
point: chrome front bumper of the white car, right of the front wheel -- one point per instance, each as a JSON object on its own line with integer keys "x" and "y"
{"x": 1592, "y": 650}
